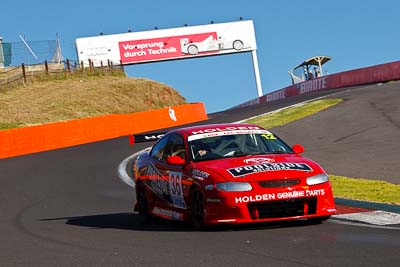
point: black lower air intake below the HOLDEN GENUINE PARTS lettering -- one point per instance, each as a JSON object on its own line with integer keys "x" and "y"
{"x": 282, "y": 208}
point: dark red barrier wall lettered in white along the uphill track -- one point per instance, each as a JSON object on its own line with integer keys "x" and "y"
{"x": 375, "y": 74}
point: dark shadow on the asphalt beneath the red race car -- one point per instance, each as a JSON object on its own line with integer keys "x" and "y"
{"x": 133, "y": 221}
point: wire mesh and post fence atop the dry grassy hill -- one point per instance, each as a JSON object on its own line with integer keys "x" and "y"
{"x": 26, "y": 61}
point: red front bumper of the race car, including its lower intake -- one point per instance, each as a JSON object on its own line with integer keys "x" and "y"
{"x": 269, "y": 205}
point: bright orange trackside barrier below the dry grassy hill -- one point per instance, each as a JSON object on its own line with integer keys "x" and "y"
{"x": 21, "y": 141}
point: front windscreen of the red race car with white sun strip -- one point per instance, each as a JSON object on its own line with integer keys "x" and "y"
{"x": 235, "y": 144}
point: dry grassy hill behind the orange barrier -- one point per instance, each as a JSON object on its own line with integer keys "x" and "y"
{"x": 44, "y": 101}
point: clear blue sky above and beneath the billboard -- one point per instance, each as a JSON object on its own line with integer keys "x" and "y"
{"x": 355, "y": 33}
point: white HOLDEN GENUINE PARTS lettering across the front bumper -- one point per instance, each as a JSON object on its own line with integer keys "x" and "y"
{"x": 280, "y": 196}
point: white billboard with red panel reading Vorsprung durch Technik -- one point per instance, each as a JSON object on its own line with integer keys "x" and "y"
{"x": 168, "y": 44}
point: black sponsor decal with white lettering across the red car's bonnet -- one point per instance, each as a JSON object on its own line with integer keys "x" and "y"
{"x": 266, "y": 167}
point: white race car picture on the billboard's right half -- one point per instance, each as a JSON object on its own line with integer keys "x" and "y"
{"x": 210, "y": 44}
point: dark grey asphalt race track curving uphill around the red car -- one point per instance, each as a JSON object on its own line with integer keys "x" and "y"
{"x": 68, "y": 208}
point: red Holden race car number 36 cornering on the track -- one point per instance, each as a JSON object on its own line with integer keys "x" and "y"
{"x": 228, "y": 173}
